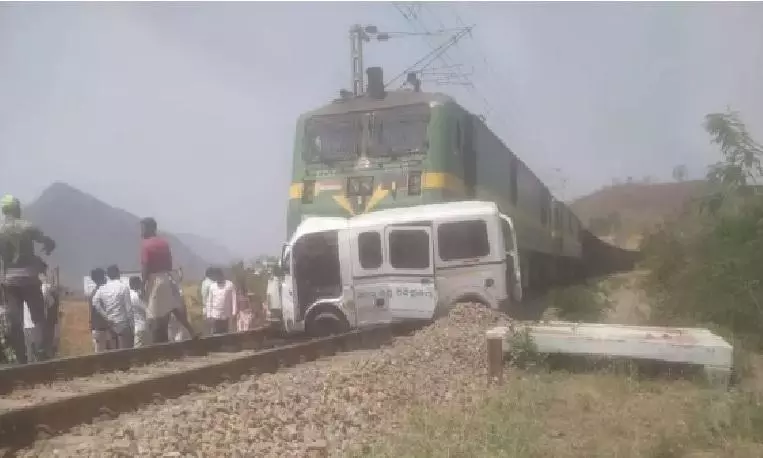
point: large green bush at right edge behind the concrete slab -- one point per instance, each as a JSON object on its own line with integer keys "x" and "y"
{"x": 705, "y": 267}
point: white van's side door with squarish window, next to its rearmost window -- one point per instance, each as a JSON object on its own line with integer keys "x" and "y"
{"x": 410, "y": 269}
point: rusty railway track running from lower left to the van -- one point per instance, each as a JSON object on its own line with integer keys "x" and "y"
{"x": 44, "y": 399}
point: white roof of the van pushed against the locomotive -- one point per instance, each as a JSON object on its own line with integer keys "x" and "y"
{"x": 428, "y": 212}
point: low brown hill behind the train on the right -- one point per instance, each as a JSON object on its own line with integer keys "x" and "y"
{"x": 621, "y": 213}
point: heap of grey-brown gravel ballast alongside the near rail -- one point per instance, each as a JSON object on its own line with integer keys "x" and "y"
{"x": 344, "y": 401}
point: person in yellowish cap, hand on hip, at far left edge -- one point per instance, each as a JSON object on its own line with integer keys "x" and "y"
{"x": 19, "y": 276}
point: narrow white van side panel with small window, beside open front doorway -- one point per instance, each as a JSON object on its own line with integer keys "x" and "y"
{"x": 371, "y": 289}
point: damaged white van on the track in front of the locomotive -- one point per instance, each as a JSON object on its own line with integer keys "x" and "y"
{"x": 391, "y": 265}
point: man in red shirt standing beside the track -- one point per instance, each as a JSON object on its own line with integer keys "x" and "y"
{"x": 162, "y": 296}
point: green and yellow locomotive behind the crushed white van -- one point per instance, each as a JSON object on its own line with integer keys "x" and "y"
{"x": 402, "y": 148}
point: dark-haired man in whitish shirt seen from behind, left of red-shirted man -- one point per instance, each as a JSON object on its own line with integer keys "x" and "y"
{"x": 113, "y": 302}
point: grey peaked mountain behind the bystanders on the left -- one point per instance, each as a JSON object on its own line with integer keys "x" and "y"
{"x": 90, "y": 233}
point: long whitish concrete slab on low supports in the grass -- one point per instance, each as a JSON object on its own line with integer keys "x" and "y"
{"x": 653, "y": 347}
